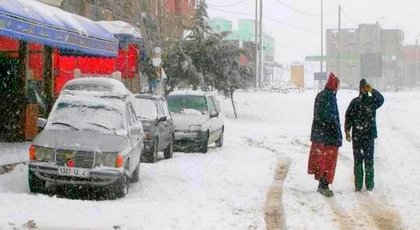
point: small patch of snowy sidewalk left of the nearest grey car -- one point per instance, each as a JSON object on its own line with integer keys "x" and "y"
{"x": 12, "y": 153}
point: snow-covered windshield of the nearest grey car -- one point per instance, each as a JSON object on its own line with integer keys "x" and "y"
{"x": 87, "y": 116}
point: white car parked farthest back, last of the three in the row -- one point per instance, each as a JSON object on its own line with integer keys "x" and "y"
{"x": 198, "y": 119}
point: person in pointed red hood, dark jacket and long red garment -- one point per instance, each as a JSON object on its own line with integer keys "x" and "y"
{"x": 326, "y": 136}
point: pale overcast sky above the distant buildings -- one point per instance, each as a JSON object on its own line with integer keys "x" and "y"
{"x": 296, "y": 24}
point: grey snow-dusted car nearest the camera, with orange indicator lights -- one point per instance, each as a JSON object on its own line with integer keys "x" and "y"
{"x": 92, "y": 138}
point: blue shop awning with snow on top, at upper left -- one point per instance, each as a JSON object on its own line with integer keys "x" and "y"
{"x": 35, "y": 21}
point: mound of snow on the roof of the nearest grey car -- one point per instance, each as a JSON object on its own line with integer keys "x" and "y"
{"x": 96, "y": 86}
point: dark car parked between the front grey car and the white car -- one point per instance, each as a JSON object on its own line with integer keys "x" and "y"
{"x": 158, "y": 125}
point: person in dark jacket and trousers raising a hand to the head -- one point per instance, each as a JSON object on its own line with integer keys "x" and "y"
{"x": 360, "y": 119}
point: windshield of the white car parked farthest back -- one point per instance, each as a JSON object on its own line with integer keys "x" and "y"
{"x": 179, "y": 103}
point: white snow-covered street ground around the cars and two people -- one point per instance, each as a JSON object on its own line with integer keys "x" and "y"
{"x": 228, "y": 187}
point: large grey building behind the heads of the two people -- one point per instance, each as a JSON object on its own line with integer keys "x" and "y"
{"x": 366, "y": 52}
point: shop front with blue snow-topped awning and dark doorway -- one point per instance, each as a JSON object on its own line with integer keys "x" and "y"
{"x": 32, "y": 36}
